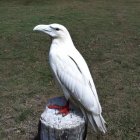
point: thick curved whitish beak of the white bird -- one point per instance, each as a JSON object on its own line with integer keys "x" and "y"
{"x": 42, "y": 28}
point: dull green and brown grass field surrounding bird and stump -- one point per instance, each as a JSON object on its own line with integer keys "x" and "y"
{"x": 107, "y": 33}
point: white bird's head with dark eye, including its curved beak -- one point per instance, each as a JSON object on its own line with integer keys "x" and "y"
{"x": 53, "y": 30}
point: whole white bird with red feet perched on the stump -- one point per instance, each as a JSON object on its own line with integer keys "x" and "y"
{"x": 73, "y": 75}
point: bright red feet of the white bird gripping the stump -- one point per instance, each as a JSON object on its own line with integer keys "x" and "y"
{"x": 64, "y": 110}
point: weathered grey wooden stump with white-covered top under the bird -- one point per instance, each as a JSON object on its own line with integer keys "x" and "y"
{"x": 57, "y": 127}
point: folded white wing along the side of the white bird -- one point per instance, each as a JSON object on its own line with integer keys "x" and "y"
{"x": 71, "y": 75}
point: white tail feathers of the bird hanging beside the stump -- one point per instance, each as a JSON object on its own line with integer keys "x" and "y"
{"x": 97, "y": 122}
